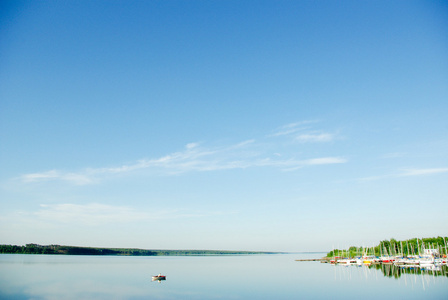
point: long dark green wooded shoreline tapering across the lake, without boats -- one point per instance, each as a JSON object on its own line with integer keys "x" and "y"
{"x": 75, "y": 250}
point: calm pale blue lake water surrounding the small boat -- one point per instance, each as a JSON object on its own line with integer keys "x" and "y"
{"x": 207, "y": 277}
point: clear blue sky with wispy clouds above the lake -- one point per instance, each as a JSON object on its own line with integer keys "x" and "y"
{"x": 242, "y": 125}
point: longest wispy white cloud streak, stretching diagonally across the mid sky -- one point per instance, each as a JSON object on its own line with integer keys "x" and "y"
{"x": 197, "y": 158}
